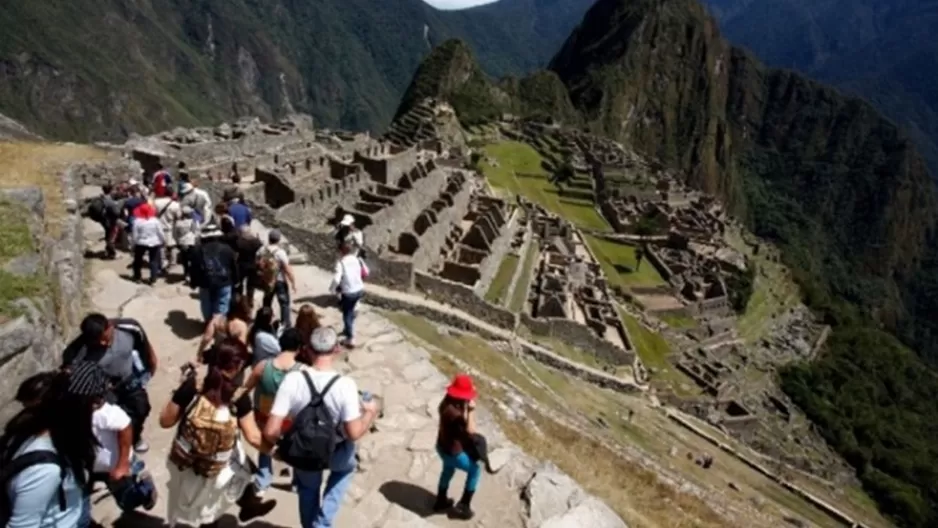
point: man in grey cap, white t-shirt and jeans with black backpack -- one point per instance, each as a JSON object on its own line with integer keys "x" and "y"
{"x": 339, "y": 396}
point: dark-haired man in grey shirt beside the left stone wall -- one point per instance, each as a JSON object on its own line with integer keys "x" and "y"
{"x": 112, "y": 344}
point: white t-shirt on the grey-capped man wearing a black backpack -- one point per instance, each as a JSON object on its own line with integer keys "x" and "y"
{"x": 342, "y": 399}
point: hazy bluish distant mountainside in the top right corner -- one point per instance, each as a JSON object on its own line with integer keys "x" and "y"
{"x": 884, "y": 50}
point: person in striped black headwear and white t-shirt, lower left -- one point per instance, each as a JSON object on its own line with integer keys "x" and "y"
{"x": 115, "y": 463}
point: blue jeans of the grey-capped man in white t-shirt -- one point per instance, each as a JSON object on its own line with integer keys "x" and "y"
{"x": 319, "y": 511}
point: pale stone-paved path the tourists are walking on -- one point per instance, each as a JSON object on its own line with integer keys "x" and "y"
{"x": 399, "y": 466}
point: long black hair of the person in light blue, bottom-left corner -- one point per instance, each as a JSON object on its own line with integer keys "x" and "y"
{"x": 66, "y": 418}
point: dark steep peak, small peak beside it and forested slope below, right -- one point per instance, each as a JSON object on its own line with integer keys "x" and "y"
{"x": 836, "y": 185}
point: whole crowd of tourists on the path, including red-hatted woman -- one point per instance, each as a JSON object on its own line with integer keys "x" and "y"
{"x": 268, "y": 384}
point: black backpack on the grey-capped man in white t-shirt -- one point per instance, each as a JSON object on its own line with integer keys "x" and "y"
{"x": 311, "y": 440}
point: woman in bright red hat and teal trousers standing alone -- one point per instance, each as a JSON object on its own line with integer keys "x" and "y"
{"x": 457, "y": 425}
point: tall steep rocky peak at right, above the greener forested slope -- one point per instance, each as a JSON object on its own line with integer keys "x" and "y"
{"x": 821, "y": 172}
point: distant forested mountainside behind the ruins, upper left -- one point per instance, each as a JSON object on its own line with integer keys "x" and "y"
{"x": 85, "y": 70}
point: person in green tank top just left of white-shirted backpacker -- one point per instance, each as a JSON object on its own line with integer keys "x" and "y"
{"x": 265, "y": 379}
